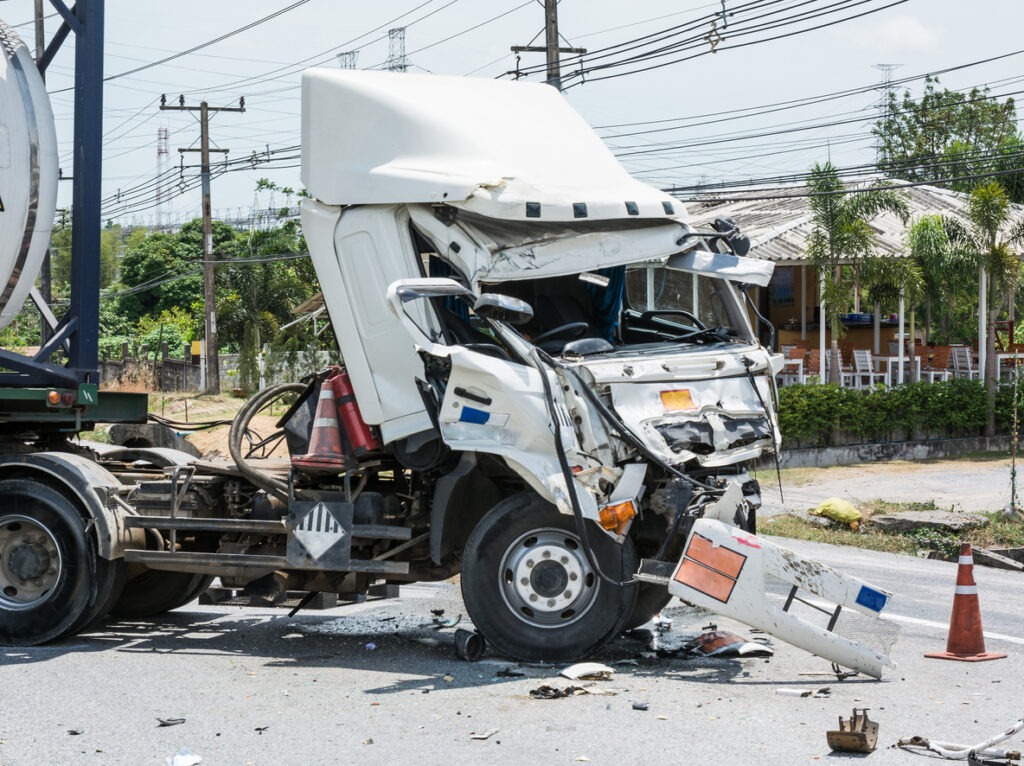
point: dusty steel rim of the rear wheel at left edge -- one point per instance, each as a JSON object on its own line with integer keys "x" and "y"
{"x": 30, "y": 563}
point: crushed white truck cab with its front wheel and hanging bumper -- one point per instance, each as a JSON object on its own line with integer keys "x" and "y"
{"x": 564, "y": 366}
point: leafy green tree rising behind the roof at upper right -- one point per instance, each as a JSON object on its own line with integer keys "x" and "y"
{"x": 949, "y": 135}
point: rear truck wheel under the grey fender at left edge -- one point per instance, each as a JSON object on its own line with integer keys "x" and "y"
{"x": 50, "y": 582}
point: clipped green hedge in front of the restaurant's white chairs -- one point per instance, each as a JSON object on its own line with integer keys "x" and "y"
{"x": 818, "y": 415}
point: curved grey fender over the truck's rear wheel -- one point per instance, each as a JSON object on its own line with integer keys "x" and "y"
{"x": 95, "y": 490}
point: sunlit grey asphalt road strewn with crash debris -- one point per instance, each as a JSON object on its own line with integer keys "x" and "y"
{"x": 376, "y": 684}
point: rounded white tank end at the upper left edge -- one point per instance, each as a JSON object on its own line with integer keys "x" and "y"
{"x": 28, "y": 174}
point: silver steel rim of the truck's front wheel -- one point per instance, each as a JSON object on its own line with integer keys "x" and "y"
{"x": 546, "y": 580}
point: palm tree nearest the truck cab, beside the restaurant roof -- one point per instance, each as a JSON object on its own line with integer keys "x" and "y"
{"x": 841, "y": 237}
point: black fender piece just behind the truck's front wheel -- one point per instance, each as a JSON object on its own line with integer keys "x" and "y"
{"x": 461, "y": 498}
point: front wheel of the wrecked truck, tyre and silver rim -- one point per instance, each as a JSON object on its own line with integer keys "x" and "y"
{"x": 531, "y": 590}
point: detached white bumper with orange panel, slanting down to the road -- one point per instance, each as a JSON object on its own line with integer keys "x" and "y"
{"x": 749, "y": 579}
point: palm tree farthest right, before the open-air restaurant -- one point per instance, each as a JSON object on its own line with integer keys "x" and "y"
{"x": 988, "y": 239}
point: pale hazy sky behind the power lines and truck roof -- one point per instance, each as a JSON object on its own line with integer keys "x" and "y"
{"x": 703, "y": 118}
